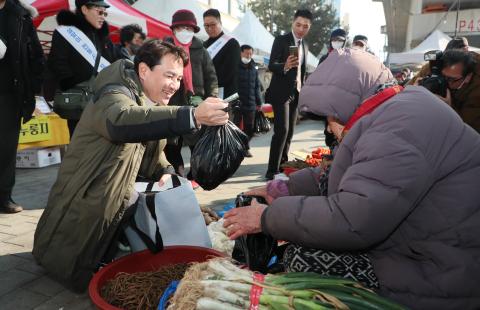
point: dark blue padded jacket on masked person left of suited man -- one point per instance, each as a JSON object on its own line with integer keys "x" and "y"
{"x": 249, "y": 87}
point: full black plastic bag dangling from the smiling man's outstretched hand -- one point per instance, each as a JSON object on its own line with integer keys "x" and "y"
{"x": 218, "y": 154}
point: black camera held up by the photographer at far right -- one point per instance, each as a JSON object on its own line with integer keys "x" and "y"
{"x": 435, "y": 82}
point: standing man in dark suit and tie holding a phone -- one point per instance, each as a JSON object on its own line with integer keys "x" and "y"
{"x": 288, "y": 76}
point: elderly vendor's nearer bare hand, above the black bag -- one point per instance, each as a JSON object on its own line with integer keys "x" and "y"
{"x": 245, "y": 220}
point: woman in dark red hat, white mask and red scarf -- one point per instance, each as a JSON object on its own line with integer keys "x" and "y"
{"x": 199, "y": 82}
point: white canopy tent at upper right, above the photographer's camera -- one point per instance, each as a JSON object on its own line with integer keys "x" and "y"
{"x": 437, "y": 40}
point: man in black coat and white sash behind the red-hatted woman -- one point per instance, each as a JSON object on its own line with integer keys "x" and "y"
{"x": 224, "y": 51}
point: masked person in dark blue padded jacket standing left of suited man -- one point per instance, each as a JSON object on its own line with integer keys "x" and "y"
{"x": 249, "y": 92}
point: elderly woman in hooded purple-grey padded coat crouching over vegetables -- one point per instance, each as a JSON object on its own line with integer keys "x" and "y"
{"x": 402, "y": 212}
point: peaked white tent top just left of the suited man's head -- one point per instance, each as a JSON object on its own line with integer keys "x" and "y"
{"x": 251, "y": 31}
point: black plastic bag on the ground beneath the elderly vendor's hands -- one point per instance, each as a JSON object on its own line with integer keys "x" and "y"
{"x": 255, "y": 250}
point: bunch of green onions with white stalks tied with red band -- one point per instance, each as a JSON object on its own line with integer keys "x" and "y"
{"x": 219, "y": 284}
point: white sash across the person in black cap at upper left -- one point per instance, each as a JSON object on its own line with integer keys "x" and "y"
{"x": 82, "y": 44}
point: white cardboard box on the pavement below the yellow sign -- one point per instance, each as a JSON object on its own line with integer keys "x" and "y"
{"x": 38, "y": 158}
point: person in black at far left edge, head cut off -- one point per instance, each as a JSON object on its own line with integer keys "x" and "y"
{"x": 21, "y": 69}
